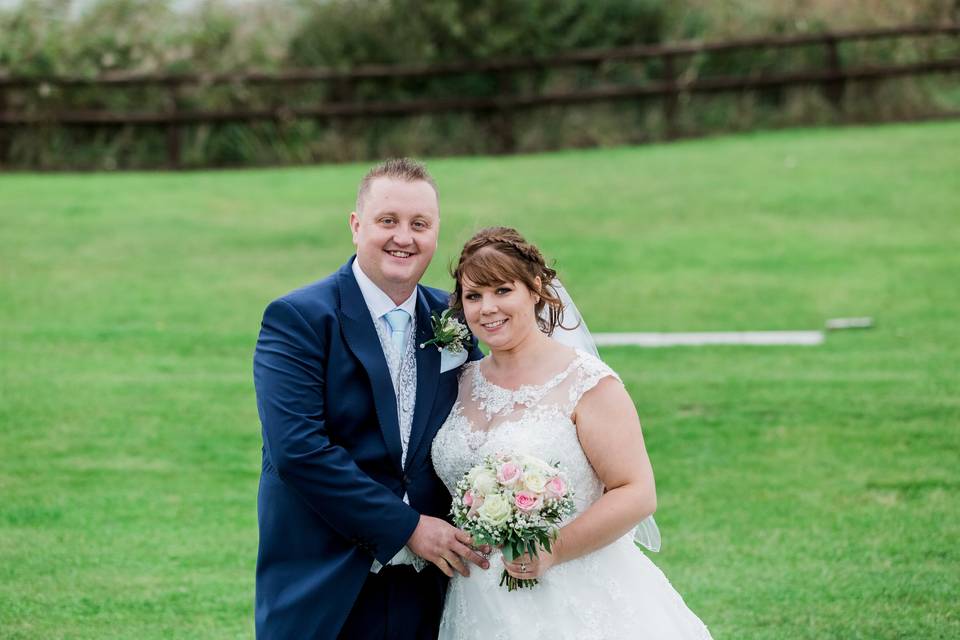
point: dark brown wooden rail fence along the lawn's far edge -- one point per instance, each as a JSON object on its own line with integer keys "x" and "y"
{"x": 669, "y": 87}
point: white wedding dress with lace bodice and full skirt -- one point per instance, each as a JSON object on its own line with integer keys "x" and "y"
{"x": 615, "y": 592}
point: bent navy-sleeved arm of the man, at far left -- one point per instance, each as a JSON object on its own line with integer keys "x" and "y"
{"x": 287, "y": 370}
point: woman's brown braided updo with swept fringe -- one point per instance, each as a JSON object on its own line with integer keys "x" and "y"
{"x": 496, "y": 255}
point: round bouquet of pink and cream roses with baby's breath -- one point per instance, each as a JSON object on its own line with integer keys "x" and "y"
{"x": 513, "y": 502}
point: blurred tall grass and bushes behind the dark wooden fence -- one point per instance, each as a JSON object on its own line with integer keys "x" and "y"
{"x": 128, "y": 36}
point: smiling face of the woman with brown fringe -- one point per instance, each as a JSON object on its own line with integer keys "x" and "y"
{"x": 503, "y": 315}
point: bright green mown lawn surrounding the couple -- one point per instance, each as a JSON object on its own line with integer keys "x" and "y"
{"x": 804, "y": 492}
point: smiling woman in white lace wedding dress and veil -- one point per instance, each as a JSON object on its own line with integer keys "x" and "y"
{"x": 537, "y": 396}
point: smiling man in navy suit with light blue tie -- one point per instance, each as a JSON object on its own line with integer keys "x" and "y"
{"x": 349, "y": 505}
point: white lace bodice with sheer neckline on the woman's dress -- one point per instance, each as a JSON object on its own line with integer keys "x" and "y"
{"x": 534, "y": 419}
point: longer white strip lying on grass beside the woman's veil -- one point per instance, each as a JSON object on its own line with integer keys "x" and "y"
{"x": 761, "y": 338}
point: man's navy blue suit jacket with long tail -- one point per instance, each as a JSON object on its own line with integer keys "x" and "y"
{"x": 332, "y": 483}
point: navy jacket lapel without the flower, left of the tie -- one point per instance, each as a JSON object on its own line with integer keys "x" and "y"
{"x": 361, "y": 337}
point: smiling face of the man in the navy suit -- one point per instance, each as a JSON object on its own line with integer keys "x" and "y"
{"x": 396, "y": 233}
